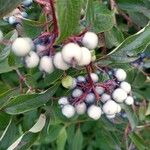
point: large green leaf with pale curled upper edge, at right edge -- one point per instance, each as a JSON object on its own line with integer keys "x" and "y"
{"x": 127, "y": 51}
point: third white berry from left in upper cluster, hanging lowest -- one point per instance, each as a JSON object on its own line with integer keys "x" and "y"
{"x": 46, "y": 64}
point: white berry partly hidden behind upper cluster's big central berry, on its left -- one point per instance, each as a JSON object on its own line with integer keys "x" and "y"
{"x": 59, "y": 62}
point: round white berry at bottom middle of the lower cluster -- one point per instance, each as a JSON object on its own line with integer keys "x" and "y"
{"x": 94, "y": 112}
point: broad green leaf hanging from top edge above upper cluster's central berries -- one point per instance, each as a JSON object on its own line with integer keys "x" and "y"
{"x": 68, "y": 15}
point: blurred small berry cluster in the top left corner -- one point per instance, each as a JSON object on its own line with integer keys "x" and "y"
{"x": 17, "y": 14}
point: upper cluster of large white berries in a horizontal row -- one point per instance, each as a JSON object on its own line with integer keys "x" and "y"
{"x": 39, "y": 52}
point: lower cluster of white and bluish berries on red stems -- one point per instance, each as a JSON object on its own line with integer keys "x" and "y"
{"x": 96, "y": 98}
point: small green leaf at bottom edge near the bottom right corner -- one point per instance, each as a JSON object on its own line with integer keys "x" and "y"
{"x": 138, "y": 141}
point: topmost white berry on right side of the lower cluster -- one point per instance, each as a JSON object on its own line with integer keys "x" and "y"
{"x": 120, "y": 74}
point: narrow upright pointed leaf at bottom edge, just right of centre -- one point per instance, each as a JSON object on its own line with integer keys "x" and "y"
{"x": 78, "y": 140}
